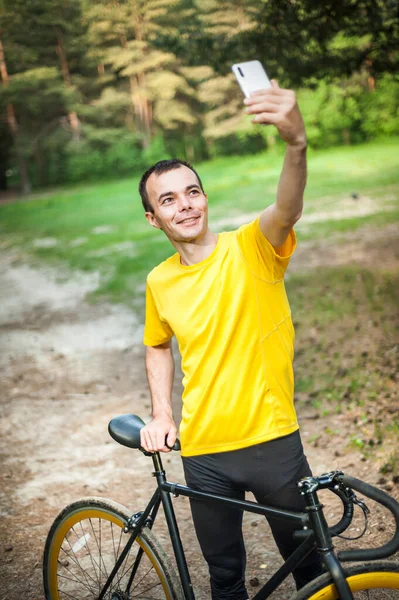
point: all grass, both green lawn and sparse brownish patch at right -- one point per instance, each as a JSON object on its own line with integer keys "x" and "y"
{"x": 346, "y": 318}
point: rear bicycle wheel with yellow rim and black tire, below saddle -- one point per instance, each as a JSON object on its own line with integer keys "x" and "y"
{"x": 83, "y": 546}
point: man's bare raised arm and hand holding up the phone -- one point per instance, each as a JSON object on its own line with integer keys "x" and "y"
{"x": 279, "y": 107}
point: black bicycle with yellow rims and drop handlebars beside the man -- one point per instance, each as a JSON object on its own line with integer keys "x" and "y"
{"x": 97, "y": 549}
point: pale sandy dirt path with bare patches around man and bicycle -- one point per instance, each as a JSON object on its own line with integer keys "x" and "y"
{"x": 67, "y": 368}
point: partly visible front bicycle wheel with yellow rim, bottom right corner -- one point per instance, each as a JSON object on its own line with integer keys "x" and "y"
{"x": 377, "y": 580}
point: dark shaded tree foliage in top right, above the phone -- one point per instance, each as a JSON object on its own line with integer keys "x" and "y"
{"x": 299, "y": 41}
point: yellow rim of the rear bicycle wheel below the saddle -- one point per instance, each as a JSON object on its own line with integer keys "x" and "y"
{"x": 92, "y": 513}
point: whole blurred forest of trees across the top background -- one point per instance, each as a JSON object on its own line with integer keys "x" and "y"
{"x": 100, "y": 89}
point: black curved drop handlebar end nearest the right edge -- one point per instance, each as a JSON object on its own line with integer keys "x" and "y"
{"x": 382, "y": 498}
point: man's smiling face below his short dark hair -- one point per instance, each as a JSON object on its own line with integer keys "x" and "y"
{"x": 180, "y": 206}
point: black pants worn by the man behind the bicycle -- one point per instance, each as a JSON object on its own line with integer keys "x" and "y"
{"x": 270, "y": 471}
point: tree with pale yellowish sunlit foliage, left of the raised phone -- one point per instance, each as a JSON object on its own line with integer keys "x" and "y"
{"x": 125, "y": 35}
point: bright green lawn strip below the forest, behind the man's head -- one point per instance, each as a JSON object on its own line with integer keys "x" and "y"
{"x": 131, "y": 248}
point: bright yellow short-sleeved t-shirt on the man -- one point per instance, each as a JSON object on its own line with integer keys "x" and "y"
{"x": 232, "y": 321}
